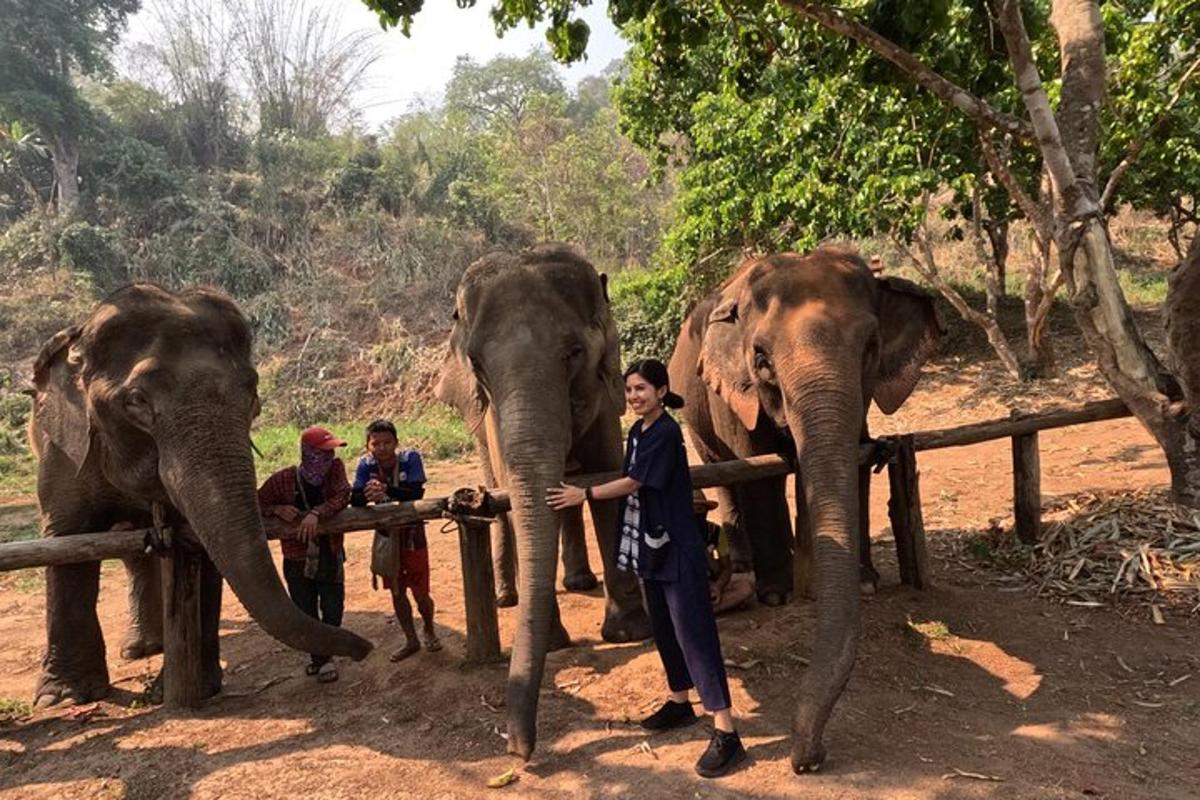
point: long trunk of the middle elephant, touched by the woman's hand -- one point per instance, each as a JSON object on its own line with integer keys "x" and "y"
{"x": 535, "y": 455}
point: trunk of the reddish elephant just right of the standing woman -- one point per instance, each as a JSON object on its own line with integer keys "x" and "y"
{"x": 826, "y": 441}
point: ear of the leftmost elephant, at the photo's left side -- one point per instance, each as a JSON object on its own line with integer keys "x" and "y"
{"x": 61, "y": 410}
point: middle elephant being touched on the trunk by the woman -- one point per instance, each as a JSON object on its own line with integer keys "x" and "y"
{"x": 533, "y": 366}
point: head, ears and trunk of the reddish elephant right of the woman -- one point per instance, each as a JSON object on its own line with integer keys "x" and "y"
{"x": 806, "y": 344}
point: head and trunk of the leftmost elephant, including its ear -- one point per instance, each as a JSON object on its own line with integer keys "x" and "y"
{"x": 158, "y": 390}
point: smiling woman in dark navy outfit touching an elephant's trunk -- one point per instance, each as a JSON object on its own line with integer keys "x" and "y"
{"x": 659, "y": 540}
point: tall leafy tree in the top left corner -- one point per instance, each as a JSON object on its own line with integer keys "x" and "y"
{"x": 43, "y": 47}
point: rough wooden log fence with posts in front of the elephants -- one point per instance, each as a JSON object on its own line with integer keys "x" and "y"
{"x": 475, "y": 510}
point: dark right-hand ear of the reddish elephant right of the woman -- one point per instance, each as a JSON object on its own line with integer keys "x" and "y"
{"x": 910, "y": 333}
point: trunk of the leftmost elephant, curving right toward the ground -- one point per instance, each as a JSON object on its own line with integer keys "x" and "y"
{"x": 212, "y": 482}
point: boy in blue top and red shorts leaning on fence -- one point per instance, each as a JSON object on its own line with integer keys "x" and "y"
{"x": 400, "y": 555}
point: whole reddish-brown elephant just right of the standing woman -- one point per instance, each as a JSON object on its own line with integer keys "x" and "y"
{"x": 784, "y": 358}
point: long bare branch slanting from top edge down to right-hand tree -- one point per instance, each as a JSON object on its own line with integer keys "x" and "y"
{"x": 983, "y": 115}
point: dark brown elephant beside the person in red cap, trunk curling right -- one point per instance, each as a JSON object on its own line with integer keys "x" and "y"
{"x": 148, "y": 405}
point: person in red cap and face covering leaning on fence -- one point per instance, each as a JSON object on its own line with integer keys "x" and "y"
{"x": 311, "y": 492}
